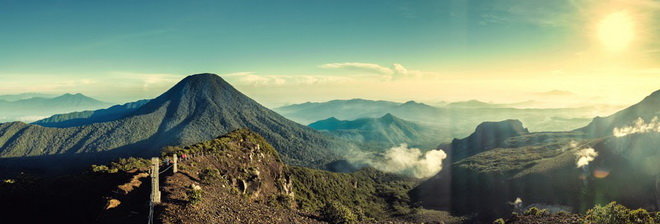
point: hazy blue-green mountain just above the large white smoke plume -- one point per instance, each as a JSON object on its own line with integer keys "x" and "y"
{"x": 382, "y": 133}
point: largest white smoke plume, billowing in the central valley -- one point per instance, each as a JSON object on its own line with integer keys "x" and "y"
{"x": 409, "y": 161}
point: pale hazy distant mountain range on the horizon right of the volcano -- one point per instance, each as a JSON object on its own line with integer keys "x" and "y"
{"x": 455, "y": 119}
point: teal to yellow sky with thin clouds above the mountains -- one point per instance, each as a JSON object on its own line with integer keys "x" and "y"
{"x": 564, "y": 52}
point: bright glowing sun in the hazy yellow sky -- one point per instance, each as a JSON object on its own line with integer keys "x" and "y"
{"x": 616, "y": 31}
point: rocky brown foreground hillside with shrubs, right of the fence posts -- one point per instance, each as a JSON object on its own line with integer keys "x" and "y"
{"x": 242, "y": 179}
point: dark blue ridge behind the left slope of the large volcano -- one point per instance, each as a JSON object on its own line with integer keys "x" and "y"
{"x": 89, "y": 117}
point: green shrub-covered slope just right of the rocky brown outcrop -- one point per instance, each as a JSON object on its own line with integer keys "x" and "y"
{"x": 375, "y": 194}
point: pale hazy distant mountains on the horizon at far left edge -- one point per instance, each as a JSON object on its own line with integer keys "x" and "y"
{"x": 31, "y": 107}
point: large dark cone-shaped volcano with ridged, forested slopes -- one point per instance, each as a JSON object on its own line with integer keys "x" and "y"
{"x": 198, "y": 108}
